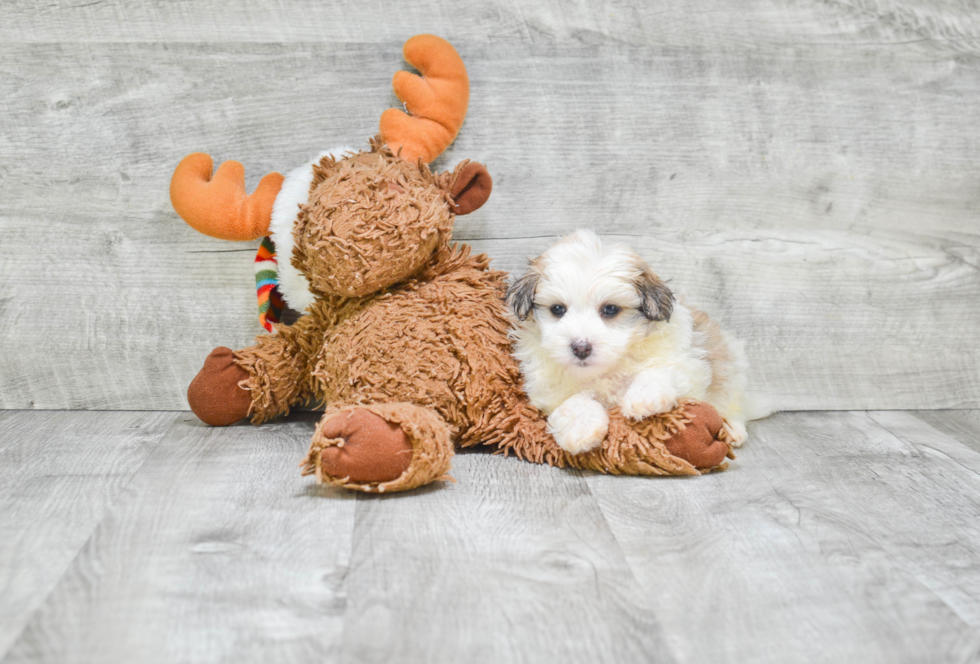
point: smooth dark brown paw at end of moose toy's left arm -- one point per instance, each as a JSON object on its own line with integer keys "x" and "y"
{"x": 214, "y": 394}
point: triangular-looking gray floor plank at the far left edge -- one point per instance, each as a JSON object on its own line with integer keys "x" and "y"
{"x": 59, "y": 474}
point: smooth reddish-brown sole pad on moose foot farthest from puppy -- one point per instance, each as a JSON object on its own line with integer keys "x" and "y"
{"x": 372, "y": 449}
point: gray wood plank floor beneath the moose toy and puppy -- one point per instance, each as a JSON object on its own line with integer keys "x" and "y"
{"x": 847, "y": 536}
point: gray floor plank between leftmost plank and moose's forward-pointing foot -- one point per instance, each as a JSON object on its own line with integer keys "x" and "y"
{"x": 217, "y": 551}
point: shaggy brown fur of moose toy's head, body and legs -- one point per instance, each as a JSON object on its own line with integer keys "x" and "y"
{"x": 414, "y": 330}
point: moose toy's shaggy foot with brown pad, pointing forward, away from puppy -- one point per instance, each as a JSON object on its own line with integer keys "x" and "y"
{"x": 380, "y": 447}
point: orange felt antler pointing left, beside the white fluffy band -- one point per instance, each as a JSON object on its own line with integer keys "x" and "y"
{"x": 218, "y": 206}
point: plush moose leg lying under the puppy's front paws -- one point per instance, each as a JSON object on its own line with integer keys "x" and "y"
{"x": 684, "y": 441}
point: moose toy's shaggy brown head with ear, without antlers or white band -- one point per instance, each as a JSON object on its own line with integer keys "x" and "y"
{"x": 374, "y": 219}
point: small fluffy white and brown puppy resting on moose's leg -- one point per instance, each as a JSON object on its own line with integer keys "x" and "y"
{"x": 595, "y": 328}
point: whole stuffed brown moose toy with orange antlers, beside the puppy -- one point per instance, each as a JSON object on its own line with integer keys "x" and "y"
{"x": 404, "y": 338}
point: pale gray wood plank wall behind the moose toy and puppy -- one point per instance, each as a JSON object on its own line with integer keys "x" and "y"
{"x": 806, "y": 171}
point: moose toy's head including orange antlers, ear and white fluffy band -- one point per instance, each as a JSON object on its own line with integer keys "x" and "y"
{"x": 353, "y": 224}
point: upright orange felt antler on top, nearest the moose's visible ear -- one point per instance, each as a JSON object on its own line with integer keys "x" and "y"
{"x": 437, "y": 100}
